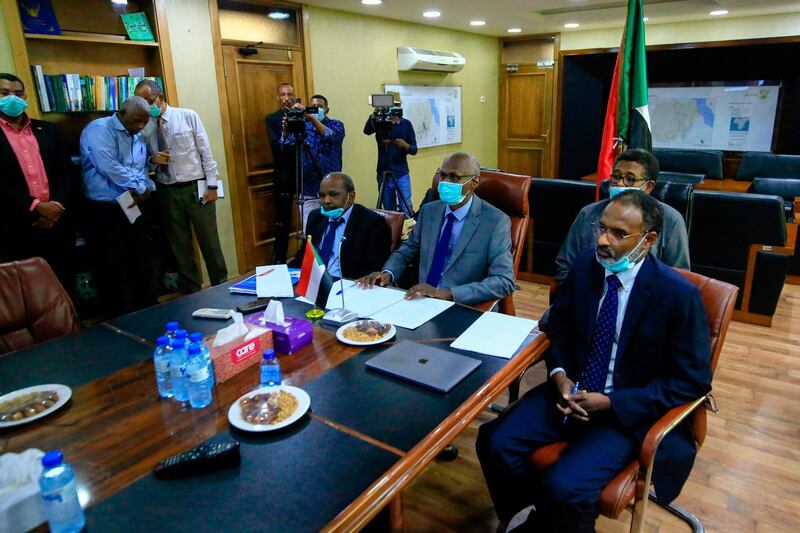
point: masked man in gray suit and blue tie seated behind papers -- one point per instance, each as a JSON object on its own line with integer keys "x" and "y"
{"x": 463, "y": 244}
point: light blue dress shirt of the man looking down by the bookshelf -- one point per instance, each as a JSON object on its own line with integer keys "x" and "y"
{"x": 113, "y": 161}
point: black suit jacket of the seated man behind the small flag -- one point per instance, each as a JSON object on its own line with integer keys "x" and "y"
{"x": 366, "y": 245}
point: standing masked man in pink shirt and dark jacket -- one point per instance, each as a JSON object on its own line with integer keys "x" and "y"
{"x": 36, "y": 183}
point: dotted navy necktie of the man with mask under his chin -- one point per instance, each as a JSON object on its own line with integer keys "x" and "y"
{"x": 593, "y": 378}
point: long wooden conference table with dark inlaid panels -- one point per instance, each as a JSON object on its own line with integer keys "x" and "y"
{"x": 365, "y": 439}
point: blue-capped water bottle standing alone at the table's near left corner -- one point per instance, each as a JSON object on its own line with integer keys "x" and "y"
{"x": 60, "y": 495}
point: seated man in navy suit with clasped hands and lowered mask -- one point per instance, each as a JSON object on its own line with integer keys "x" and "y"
{"x": 629, "y": 341}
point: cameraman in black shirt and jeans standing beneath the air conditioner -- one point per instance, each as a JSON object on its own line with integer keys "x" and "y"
{"x": 395, "y": 139}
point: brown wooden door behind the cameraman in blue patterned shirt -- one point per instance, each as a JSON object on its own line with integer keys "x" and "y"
{"x": 251, "y": 84}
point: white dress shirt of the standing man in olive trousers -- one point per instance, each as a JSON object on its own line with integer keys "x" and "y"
{"x": 190, "y": 155}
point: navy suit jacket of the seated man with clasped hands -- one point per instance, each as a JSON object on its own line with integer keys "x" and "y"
{"x": 663, "y": 353}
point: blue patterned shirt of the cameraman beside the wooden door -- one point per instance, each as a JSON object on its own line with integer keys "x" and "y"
{"x": 327, "y": 150}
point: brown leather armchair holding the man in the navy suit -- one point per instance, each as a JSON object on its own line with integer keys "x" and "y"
{"x": 633, "y": 483}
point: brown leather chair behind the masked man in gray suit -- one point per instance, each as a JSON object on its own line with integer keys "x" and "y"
{"x": 509, "y": 193}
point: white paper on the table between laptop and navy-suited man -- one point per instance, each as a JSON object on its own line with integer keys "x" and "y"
{"x": 495, "y": 334}
